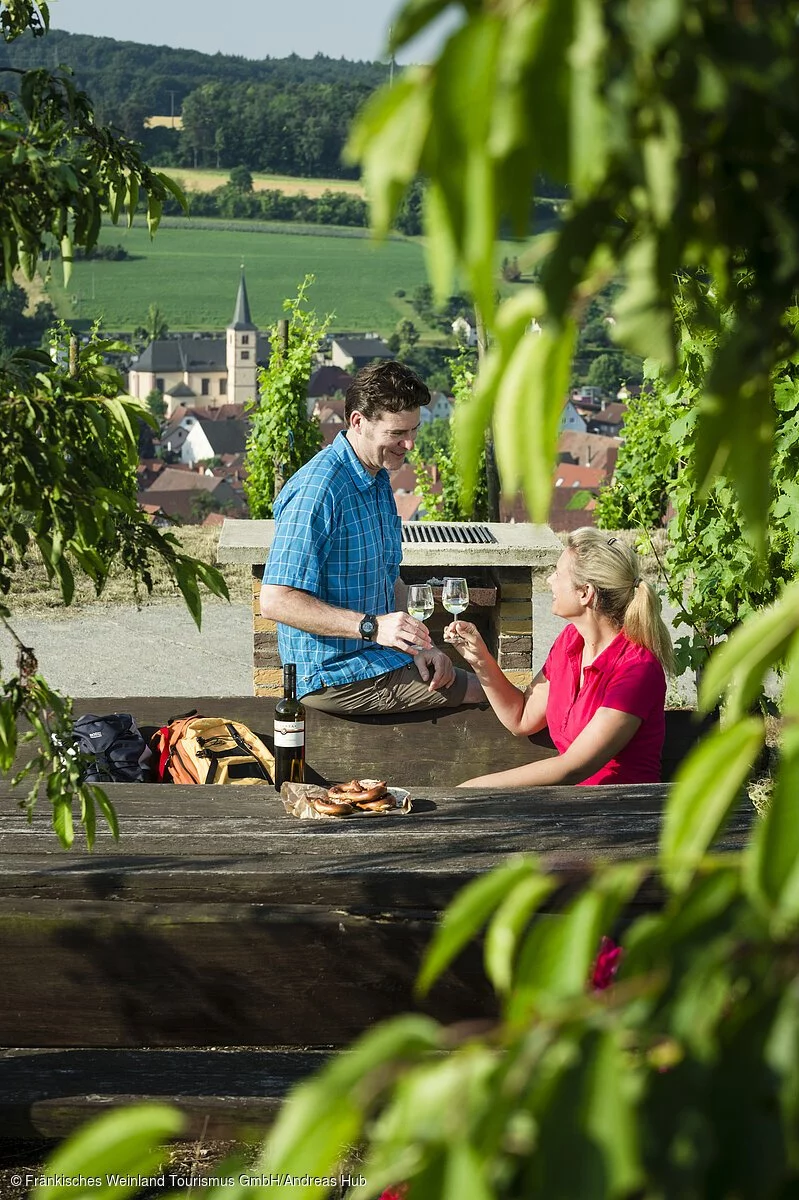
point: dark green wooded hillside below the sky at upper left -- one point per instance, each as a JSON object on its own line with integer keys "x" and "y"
{"x": 290, "y": 116}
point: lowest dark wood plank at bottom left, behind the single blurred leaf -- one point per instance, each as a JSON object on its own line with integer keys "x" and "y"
{"x": 47, "y": 1094}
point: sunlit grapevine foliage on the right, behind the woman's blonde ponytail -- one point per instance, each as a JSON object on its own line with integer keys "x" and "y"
{"x": 713, "y": 573}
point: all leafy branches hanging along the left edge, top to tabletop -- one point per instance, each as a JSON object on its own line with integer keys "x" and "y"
{"x": 68, "y": 483}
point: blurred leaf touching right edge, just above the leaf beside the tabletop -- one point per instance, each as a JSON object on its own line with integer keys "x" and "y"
{"x": 742, "y": 663}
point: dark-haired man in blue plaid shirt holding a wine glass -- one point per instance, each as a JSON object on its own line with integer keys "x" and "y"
{"x": 333, "y": 577}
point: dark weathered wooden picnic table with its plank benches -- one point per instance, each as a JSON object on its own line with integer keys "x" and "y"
{"x": 219, "y": 923}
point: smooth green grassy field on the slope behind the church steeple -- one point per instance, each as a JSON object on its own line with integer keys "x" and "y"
{"x": 193, "y": 274}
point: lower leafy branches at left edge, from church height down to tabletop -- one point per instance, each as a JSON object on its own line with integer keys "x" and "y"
{"x": 68, "y": 490}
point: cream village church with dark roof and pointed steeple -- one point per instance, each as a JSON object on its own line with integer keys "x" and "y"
{"x": 203, "y": 373}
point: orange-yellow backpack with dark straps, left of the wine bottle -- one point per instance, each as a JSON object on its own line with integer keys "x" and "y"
{"x": 211, "y": 751}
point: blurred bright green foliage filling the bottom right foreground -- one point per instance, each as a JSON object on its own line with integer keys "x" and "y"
{"x": 681, "y": 1082}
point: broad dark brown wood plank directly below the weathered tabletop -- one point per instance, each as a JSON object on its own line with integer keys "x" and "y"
{"x": 104, "y": 974}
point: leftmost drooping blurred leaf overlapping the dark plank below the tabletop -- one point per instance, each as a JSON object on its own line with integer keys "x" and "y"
{"x": 467, "y": 915}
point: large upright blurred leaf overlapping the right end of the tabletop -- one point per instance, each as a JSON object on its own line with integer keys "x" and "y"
{"x": 706, "y": 788}
